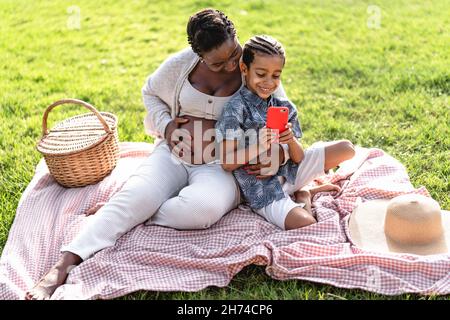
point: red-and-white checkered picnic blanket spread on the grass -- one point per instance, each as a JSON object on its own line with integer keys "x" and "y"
{"x": 162, "y": 259}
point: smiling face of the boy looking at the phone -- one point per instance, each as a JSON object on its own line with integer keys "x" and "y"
{"x": 263, "y": 76}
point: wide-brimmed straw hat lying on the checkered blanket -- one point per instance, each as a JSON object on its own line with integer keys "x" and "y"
{"x": 408, "y": 223}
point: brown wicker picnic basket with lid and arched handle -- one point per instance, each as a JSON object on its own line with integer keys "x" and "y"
{"x": 81, "y": 150}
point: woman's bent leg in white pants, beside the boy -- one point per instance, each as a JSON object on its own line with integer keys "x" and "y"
{"x": 212, "y": 192}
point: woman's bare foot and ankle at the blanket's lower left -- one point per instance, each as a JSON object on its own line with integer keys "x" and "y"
{"x": 54, "y": 278}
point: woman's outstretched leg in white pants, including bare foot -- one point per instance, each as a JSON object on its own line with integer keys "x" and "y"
{"x": 156, "y": 180}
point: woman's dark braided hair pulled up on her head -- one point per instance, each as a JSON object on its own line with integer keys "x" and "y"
{"x": 208, "y": 29}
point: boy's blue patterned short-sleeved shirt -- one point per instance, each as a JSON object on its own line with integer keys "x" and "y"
{"x": 246, "y": 111}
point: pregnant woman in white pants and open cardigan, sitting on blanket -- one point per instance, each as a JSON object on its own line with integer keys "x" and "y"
{"x": 179, "y": 185}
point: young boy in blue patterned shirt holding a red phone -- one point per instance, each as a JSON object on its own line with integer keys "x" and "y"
{"x": 262, "y": 62}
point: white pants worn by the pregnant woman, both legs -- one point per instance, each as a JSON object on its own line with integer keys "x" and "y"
{"x": 165, "y": 190}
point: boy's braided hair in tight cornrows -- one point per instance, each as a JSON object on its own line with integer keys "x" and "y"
{"x": 261, "y": 44}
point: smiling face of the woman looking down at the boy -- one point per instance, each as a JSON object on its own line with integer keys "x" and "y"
{"x": 224, "y": 58}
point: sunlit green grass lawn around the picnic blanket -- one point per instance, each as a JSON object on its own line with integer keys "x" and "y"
{"x": 379, "y": 78}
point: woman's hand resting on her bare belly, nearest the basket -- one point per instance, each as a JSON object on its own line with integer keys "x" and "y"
{"x": 179, "y": 140}
